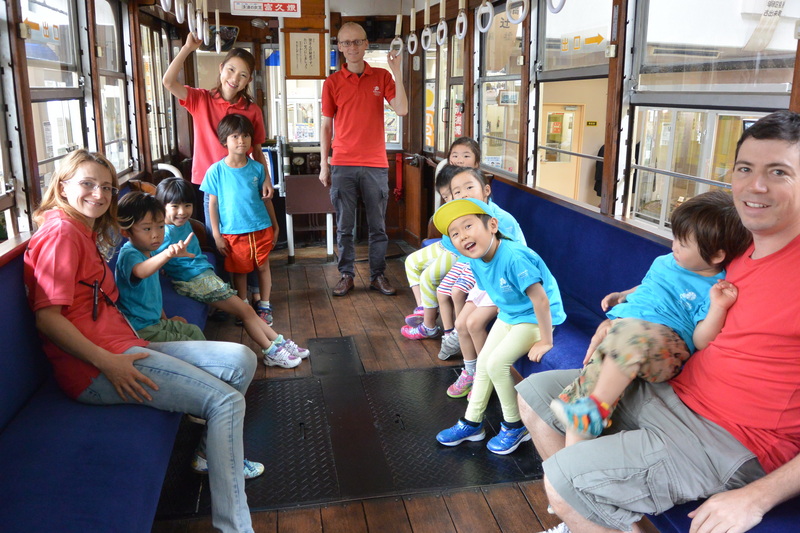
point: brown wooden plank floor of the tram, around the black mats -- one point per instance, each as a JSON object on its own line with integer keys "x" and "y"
{"x": 304, "y": 308}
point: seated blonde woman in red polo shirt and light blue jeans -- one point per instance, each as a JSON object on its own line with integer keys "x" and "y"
{"x": 96, "y": 356}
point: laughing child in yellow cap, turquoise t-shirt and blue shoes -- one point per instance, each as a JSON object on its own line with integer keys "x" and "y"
{"x": 529, "y": 304}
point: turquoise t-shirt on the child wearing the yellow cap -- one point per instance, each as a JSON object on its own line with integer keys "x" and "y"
{"x": 513, "y": 269}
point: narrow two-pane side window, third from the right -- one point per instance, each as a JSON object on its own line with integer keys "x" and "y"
{"x": 500, "y": 81}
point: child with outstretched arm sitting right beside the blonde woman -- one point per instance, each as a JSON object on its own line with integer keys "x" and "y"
{"x": 141, "y": 220}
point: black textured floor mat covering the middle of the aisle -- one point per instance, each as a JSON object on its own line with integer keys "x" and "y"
{"x": 344, "y": 435}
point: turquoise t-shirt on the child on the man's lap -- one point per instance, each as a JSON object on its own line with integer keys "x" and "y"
{"x": 669, "y": 295}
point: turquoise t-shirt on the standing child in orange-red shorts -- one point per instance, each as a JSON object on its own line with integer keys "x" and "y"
{"x": 238, "y": 192}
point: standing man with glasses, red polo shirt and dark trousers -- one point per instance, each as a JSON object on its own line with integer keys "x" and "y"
{"x": 353, "y": 98}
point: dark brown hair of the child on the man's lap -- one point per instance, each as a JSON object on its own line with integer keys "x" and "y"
{"x": 712, "y": 220}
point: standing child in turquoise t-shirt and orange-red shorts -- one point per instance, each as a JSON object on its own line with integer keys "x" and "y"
{"x": 240, "y": 223}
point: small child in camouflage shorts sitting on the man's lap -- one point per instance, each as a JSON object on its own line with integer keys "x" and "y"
{"x": 653, "y": 328}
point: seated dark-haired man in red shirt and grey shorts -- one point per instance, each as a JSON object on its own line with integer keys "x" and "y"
{"x": 727, "y": 428}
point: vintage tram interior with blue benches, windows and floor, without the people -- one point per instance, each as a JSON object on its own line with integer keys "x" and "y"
{"x": 595, "y": 120}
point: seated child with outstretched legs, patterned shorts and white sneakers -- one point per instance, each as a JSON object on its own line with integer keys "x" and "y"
{"x": 193, "y": 276}
